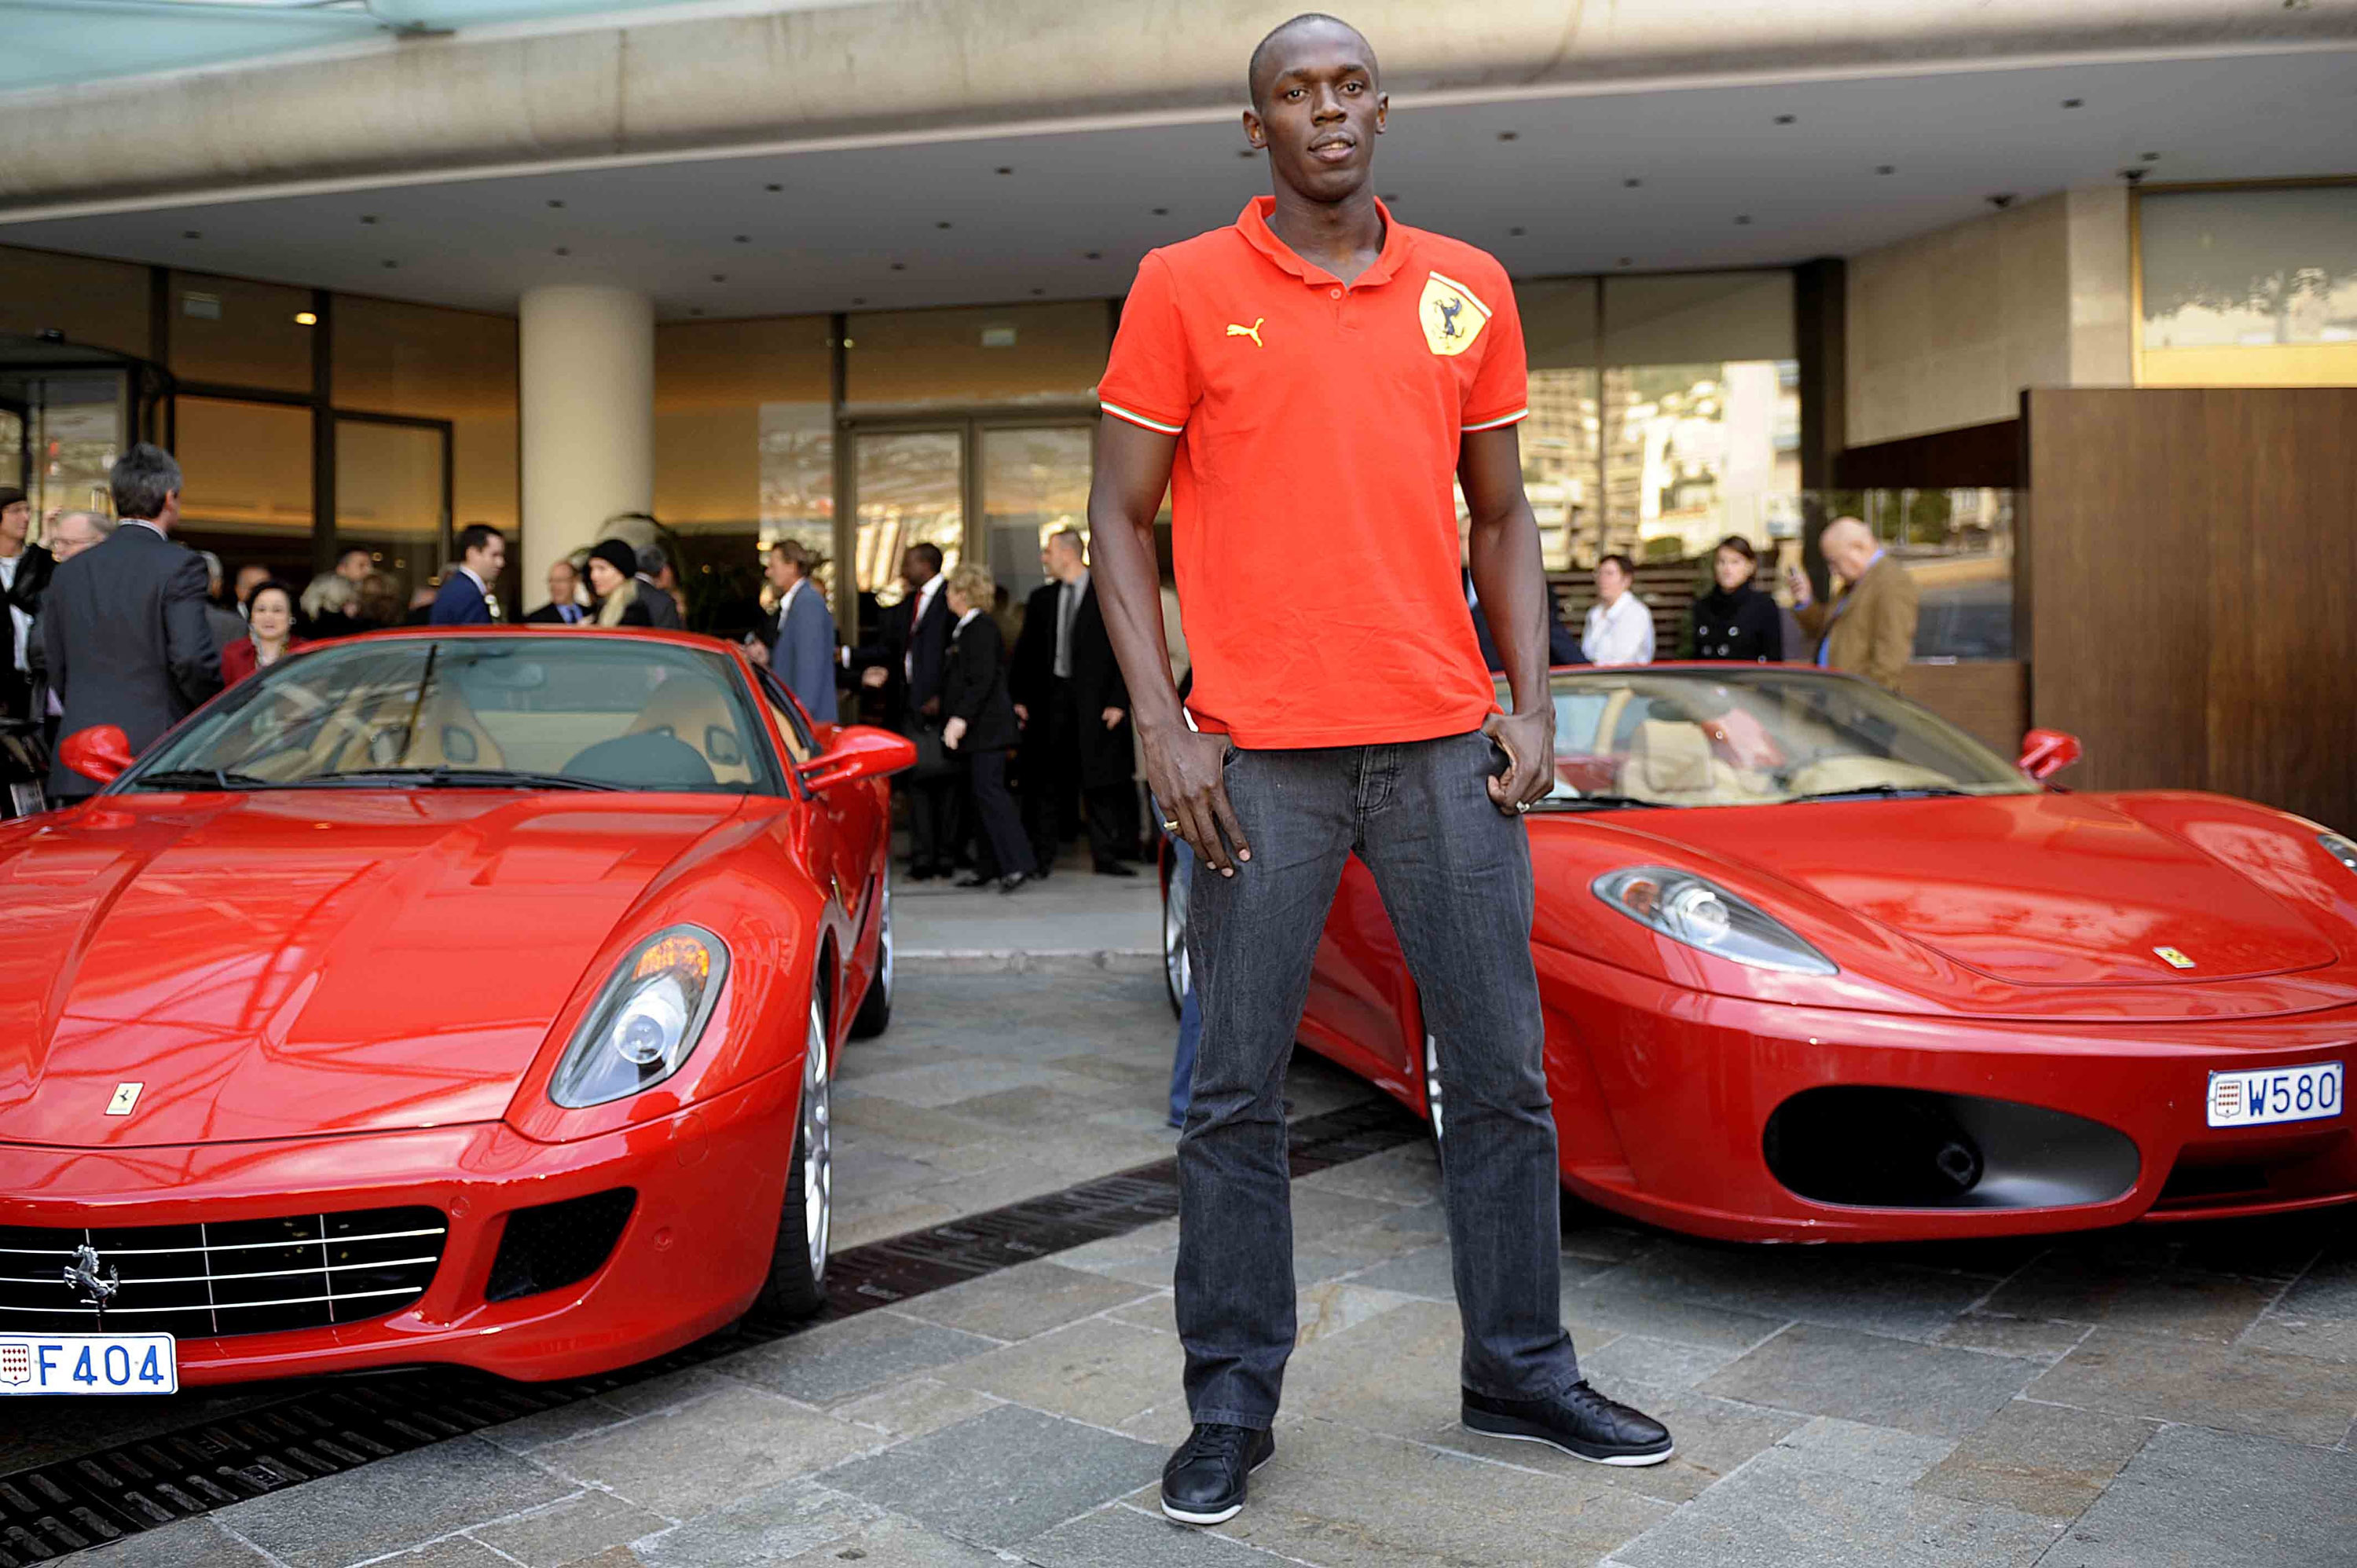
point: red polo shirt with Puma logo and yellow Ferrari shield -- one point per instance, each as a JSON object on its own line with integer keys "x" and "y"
{"x": 1312, "y": 499}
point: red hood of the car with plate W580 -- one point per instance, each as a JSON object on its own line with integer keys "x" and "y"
{"x": 2035, "y": 890}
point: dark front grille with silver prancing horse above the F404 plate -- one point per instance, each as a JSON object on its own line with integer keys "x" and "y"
{"x": 242, "y": 1277}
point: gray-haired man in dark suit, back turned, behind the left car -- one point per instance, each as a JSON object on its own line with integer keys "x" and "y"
{"x": 124, "y": 624}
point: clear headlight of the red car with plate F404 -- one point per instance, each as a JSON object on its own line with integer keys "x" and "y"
{"x": 649, "y": 1017}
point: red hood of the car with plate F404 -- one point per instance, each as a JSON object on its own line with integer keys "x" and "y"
{"x": 298, "y": 963}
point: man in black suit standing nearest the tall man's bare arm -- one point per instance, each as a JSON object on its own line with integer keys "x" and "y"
{"x": 1076, "y": 716}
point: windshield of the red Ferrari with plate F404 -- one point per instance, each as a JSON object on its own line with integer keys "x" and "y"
{"x": 536, "y": 713}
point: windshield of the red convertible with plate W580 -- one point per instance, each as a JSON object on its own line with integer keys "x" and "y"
{"x": 1755, "y": 737}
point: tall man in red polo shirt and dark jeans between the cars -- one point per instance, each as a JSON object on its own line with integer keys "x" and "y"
{"x": 1309, "y": 383}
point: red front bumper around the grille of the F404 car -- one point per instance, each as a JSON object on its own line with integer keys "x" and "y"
{"x": 692, "y": 1258}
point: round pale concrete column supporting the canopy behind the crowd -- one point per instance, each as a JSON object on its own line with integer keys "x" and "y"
{"x": 588, "y": 367}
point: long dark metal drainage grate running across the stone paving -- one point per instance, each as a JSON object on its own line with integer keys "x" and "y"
{"x": 336, "y": 1425}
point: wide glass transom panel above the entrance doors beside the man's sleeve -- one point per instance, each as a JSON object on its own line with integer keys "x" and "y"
{"x": 998, "y": 355}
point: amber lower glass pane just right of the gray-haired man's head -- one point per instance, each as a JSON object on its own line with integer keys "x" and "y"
{"x": 246, "y": 473}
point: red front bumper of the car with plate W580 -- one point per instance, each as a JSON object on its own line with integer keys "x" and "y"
{"x": 1665, "y": 1095}
